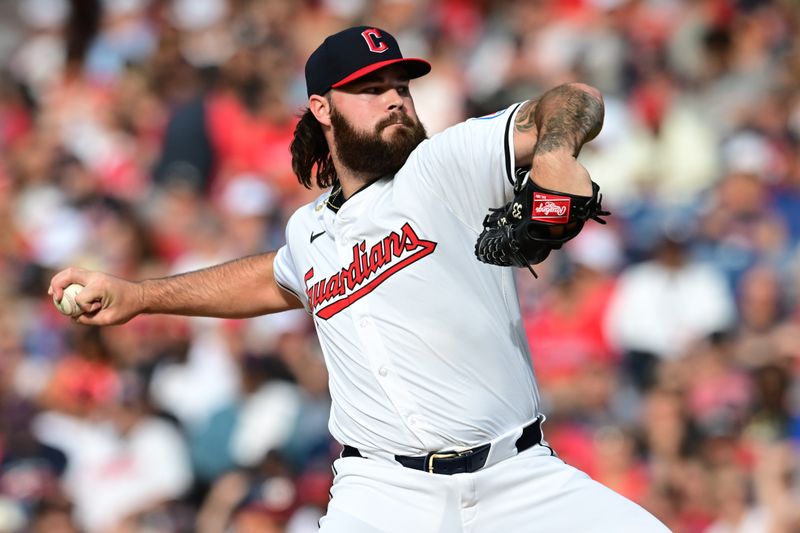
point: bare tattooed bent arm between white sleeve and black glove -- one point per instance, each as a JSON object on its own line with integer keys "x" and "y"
{"x": 549, "y": 134}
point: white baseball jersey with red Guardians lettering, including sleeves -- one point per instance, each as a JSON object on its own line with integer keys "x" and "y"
{"x": 423, "y": 343}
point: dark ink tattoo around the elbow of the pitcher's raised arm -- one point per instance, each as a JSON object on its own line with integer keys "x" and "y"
{"x": 566, "y": 118}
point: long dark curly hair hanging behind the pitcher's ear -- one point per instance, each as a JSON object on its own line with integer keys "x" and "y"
{"x": 311, "y": 156}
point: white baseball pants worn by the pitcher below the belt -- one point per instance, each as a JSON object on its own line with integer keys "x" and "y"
{"x": 532, "y": 492}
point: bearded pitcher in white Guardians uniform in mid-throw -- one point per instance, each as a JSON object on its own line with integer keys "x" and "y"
{"x": 404, "y": 265}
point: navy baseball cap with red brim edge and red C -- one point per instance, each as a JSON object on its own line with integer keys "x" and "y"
{"x": 355, "y": 52}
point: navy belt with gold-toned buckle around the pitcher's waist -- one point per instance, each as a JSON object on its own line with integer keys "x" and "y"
{"x": 459, "y": 462}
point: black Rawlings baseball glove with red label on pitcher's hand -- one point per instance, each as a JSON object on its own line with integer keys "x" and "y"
{"x": 524, "y": 231}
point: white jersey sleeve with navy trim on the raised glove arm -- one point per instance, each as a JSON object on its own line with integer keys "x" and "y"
{"x": 470, "y": 167}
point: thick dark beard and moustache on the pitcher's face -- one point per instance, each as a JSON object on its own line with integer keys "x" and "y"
{"x": 367, "y": 153}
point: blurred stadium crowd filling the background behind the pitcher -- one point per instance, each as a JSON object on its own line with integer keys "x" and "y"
{"x": 149, "y": 137}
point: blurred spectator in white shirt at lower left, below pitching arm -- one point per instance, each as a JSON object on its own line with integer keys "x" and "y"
{"x": 123, "y": 462}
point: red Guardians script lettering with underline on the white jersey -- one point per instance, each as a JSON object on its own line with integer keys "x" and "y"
{"x": 364, "y": 265}
